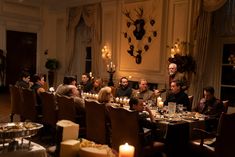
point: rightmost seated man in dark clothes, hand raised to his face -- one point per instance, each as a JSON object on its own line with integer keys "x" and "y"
{"x": 209, "y": 104}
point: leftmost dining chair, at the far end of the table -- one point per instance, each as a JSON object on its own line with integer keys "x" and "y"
{"x": 16, "y": 101}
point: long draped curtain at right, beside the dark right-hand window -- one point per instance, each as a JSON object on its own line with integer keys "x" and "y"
{"x": 201, "y": 34}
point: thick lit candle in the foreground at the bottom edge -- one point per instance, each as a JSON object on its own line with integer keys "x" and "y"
{"x": 126, "y": 150}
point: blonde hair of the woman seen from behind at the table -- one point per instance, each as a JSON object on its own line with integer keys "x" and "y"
{"x": 105, "y": 95}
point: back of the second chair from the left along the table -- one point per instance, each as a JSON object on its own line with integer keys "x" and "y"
{"x": 29, "y": 103}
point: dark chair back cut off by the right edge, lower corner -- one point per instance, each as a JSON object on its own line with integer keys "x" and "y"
{"x": 225, "y": 140}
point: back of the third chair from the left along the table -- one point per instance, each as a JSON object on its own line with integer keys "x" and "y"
{"x": 49, "y": 111}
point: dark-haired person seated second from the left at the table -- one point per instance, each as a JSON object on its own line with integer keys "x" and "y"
{"x": 38, "y": 83}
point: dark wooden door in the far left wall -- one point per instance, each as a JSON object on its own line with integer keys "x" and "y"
{"x": 21, "y": 54}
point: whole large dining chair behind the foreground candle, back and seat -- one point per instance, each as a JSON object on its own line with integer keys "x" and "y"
{"x": 125, "y": 129}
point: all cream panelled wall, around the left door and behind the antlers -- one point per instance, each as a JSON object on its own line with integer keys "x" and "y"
{"x": 172, "y": 22}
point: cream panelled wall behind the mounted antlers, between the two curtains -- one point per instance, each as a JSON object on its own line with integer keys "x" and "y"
{"x": 172, "y": 22}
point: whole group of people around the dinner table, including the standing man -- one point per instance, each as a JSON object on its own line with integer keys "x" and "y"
{"x": 208, "y": 105}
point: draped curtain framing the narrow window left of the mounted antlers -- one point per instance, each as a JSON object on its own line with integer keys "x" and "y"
{"x": 91, "y": 16}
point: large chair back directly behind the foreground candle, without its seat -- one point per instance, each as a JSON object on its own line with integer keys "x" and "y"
{"x": 125, "y": 128}
